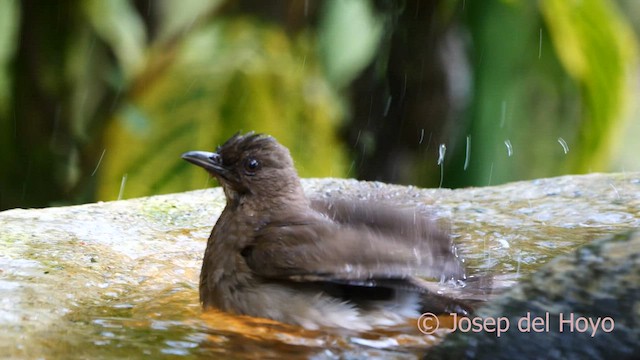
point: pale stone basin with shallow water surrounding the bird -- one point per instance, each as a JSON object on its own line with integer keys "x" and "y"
{"x": 120, "y": 279}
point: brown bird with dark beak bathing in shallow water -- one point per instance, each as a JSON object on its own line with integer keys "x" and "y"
{"x": 274, "y": 253}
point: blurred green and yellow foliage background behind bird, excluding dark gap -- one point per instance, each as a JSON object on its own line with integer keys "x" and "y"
{"x": 99, "y": 98}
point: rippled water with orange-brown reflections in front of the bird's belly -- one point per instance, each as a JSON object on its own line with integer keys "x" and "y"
{"x": 171, "y": 324}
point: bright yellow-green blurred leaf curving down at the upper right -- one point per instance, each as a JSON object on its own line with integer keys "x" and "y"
{"x": 598, "y": 49}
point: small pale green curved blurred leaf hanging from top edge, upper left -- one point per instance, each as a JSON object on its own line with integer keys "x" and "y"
{"x": 120, "y": 25}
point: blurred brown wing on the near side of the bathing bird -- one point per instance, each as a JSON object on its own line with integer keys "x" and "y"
{"x": 314, "y": 248}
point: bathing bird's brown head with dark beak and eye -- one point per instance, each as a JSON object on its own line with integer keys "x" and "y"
{"x": 250, "y": 165}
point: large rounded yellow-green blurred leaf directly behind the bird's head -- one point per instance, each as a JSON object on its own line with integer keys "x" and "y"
{"x": 221, "y": 78}
